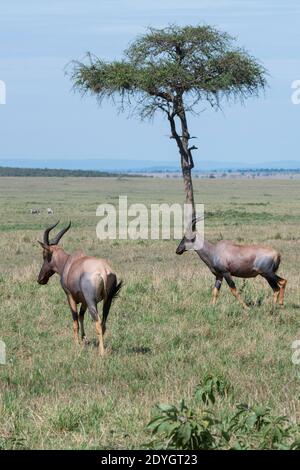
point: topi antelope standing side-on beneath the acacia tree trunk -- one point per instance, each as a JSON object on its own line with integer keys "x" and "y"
{"x": 225, "y": 259}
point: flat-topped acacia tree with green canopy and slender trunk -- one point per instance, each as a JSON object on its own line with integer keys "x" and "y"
{"x": 172, "y": 70}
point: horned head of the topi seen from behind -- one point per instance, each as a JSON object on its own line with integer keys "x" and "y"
{"x": 49, "y": 250}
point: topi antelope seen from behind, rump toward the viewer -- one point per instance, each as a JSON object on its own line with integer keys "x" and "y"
{"x": 84, "y": 279}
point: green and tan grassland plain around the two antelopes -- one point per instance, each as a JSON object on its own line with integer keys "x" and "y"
{"x": 163, "y": 333}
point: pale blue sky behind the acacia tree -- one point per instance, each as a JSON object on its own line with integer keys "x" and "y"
{"x": 44, "y": 119}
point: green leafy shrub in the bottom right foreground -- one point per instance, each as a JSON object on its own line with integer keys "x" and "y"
{"x": 188, "y": 428}
